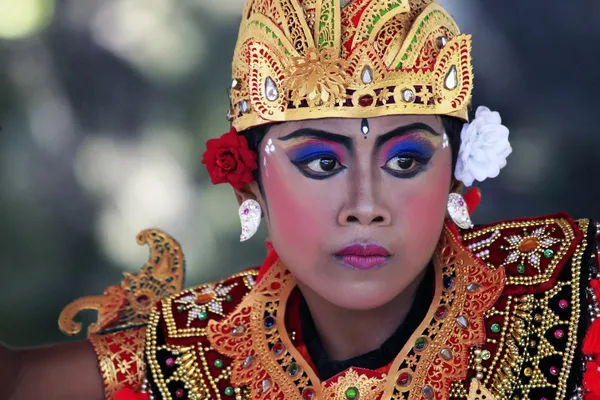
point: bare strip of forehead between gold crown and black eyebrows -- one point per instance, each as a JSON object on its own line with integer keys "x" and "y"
{"x": 351, "y": 126}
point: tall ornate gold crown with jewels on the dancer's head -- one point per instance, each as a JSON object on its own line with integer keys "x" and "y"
{"x": 309, "y": 59}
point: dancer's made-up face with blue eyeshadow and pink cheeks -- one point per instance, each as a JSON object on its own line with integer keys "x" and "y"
{"x": 356, "y": 217}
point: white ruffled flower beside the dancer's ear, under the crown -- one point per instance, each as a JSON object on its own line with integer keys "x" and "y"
{"x": 484, "y": 148}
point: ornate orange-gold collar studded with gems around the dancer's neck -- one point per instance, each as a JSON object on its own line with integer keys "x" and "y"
{"x": 267, "y": 364}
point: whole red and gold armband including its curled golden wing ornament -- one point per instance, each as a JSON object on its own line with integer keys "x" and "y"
{"x": 118, "y": 336}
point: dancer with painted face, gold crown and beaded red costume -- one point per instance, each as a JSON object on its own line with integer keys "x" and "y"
{"x": 350, "y": 139}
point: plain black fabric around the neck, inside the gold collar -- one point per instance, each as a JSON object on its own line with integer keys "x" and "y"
{"x": 377, "y": 358}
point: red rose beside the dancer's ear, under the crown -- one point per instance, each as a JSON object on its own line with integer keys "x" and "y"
{"x": 229, "y": 160}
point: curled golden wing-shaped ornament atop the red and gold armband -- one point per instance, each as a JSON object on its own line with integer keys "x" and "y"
{"x": 130, "y": 303}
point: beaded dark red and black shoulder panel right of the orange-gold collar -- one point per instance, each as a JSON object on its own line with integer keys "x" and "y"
{"x": 532, "y": 330}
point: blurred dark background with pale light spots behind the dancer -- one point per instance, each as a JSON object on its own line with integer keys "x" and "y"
{"x": 105, "y": 106}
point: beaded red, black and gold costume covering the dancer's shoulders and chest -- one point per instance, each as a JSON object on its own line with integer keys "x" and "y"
{"x": 492, "y": 332}
